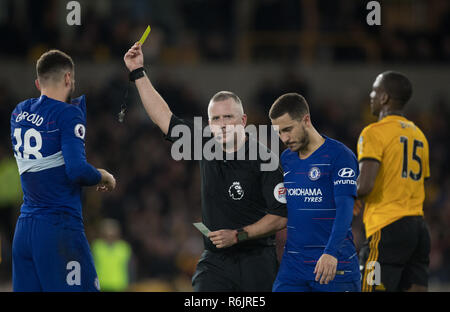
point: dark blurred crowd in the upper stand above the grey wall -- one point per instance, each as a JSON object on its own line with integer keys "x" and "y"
{"x": 233, "y": 30}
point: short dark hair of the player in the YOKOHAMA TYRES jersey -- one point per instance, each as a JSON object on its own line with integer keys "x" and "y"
{"x": 292, "y": 103}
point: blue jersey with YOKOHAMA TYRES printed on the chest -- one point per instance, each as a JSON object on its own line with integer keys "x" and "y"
{"x": 311, "y": 185}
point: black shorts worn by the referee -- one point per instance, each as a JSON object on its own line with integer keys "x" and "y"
{"x": 251, "y": 270}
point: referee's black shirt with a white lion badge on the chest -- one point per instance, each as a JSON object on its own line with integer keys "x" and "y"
{"x": 235, "y": 193}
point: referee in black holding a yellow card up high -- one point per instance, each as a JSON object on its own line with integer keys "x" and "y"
{"x": 239, "y": 202}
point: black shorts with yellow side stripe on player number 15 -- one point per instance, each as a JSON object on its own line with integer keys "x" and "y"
{"x": 396, "y": 256}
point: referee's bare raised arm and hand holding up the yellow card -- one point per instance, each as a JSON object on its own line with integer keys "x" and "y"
{"x": 155, "y": 106}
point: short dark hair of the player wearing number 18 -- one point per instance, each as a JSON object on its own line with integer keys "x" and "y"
{"x": 52, "y": 65}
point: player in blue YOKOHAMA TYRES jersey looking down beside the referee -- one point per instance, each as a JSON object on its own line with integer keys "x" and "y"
{"x": 320, "y": 186}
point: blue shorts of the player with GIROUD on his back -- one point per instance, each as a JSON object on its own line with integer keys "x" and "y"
{"x": 51, "y": 253}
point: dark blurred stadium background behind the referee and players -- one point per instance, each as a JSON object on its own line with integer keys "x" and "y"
{"x": 256, "y": 48}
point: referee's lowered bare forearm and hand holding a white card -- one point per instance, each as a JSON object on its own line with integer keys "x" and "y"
{"x": 267, "y": 225}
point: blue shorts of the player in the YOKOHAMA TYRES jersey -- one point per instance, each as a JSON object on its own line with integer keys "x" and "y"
{"x": 313, "y": 286}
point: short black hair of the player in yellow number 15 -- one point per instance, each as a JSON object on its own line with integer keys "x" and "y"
{"x": 397, "y": 86}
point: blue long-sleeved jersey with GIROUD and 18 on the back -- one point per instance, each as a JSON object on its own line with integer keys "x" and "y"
{"x": 48, "y": 142}
